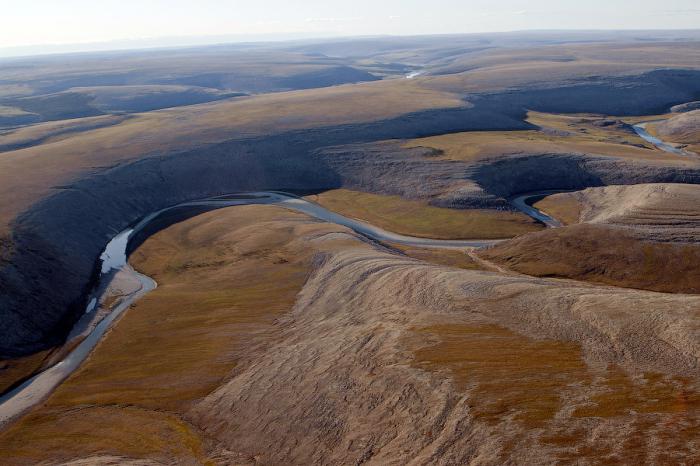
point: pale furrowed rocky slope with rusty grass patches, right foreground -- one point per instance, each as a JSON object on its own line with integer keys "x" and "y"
{"x": 404, "y": 362}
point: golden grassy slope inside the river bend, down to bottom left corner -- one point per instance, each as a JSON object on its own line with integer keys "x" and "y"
{"x": 224, "y": 278}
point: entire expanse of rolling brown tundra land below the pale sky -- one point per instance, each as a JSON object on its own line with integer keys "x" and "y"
{"x": 274, "y": 337}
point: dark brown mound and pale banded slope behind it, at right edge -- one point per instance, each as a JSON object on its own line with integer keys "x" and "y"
{"x": 642, "y": 236}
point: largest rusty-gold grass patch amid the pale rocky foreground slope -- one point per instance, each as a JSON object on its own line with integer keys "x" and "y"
{"x": 506, "y": 373}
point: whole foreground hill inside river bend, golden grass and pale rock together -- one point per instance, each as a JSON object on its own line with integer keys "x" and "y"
{"x": 276, "y": 338}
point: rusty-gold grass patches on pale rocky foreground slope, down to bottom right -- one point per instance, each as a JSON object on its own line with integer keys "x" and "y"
{"x": 506, "y": 375}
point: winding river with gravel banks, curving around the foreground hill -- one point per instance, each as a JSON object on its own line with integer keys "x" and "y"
{"x": 115, "y": 270}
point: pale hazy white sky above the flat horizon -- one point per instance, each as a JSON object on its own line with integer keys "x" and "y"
{"x": 34, "y": 23}
